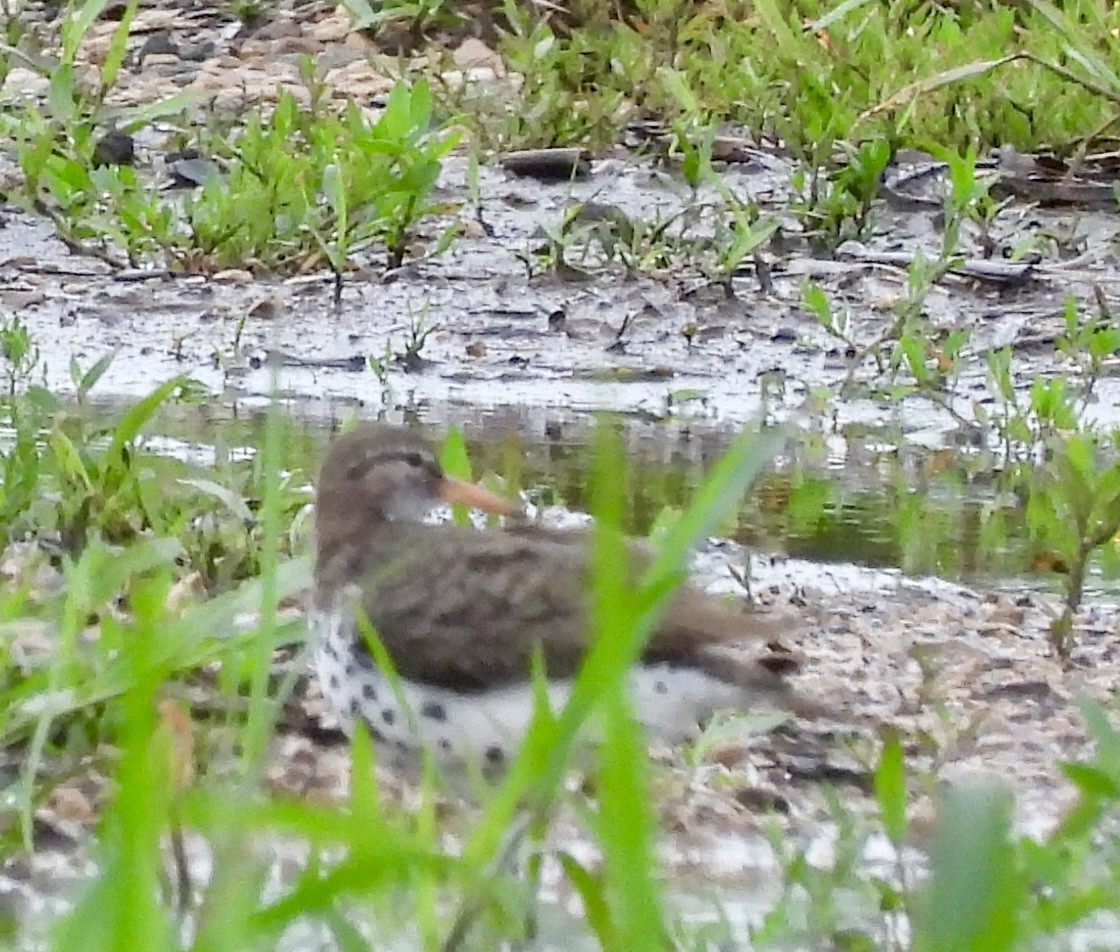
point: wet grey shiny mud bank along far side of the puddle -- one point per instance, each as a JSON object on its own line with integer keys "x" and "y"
{"x": 659, "y": 344}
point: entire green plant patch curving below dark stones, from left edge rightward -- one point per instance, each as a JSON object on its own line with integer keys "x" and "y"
{"x": 351, "y": 184}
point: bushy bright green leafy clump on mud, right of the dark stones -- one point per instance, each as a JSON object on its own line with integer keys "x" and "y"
{"x": 376, "y": 180}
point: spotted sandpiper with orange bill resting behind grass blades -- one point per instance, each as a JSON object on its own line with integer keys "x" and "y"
{"x": 463, "y": 612}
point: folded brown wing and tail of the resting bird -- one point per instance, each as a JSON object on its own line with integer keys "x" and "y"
{"x": 466, "y": 610}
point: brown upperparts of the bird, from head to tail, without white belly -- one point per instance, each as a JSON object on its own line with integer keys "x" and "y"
{"x": 464, "y": 609}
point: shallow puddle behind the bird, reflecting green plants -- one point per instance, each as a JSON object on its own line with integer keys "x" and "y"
{"x": 867, "y": 498}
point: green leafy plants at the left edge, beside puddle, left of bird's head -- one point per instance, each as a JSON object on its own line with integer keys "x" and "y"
{"x": 89, "y": 481}
